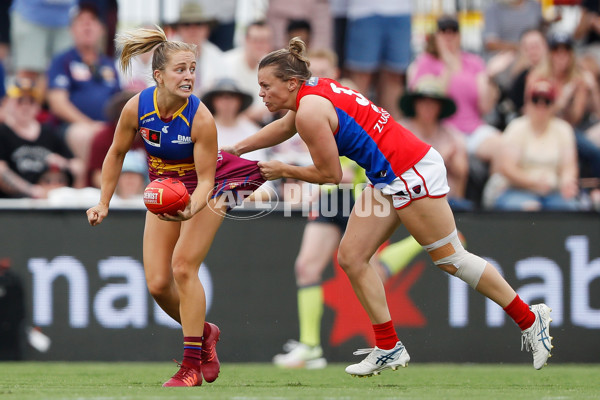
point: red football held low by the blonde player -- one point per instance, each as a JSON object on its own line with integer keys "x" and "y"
{"x": 166, "y": 196}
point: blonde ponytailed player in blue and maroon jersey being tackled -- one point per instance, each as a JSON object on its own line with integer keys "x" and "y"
{"x": 181, "y": 142}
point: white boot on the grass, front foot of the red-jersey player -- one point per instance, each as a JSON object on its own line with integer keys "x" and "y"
{"x": 378, "y": 360}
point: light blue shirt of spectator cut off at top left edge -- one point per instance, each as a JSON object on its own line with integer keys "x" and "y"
{"x": 52, "y": 13}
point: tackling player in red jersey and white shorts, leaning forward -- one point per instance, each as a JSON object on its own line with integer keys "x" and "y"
{"x": 408, "y": 186}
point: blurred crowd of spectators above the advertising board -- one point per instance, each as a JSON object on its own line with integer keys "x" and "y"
{"x": 507, "y": 91}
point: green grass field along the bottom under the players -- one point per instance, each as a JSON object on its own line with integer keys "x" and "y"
{"x": 104, "y": 381}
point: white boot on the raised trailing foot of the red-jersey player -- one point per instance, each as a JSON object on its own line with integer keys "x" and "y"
{"x": 537, "y": 337}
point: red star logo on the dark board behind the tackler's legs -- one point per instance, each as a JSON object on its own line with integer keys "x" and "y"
{"x": 351, "y": 319}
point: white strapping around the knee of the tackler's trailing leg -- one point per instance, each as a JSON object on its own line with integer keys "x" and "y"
{"x": 470, "y": 267}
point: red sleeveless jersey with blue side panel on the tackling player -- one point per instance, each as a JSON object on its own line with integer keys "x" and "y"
{"x": 366, "y": 133}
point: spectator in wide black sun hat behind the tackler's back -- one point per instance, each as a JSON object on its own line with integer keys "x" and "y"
{"x": 425, "y": 107}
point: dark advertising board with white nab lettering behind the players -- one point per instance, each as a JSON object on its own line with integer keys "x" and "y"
{"x": 86, "y": 285}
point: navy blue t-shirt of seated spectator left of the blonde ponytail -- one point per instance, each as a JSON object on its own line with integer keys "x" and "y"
{"x": 89, "y": 87}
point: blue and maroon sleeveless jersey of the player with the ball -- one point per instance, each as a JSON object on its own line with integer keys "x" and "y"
{"x": 168, "y": 143}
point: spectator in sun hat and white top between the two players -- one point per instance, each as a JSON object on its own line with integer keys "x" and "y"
{"x": 227, "y": 102}
